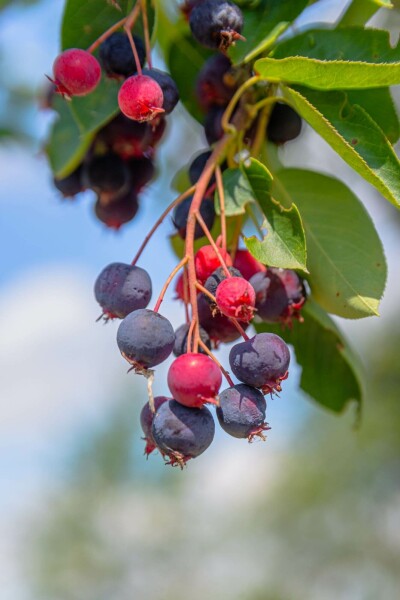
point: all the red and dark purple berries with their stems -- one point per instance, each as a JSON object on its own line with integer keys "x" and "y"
{"x": 223, "y": 287}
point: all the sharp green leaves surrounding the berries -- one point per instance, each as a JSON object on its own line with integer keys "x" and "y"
{"x": 337, "y": 78}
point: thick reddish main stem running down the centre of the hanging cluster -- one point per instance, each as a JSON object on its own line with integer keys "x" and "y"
{"x": 201, "y": 188}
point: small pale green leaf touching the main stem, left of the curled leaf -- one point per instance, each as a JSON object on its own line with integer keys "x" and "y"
{"x": 237, "y": 191}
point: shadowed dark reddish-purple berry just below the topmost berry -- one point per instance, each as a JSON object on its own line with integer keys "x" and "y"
{"x": 213, "y": 86}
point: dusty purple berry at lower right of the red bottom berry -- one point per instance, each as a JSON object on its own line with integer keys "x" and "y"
{"x": 241, "y": 412}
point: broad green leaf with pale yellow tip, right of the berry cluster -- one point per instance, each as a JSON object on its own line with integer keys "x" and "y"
{"x": 344, "y": 253}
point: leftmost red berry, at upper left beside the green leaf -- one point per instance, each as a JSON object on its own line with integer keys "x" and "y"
{"x": 76, "y": 72}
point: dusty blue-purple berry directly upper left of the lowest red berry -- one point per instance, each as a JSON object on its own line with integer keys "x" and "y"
{"x": 145, "y": 338}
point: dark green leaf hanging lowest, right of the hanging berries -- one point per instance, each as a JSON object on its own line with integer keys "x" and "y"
{"x": 331, "y": 373}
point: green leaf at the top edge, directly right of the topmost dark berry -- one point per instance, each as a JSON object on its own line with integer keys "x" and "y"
{"x": 259, "y": 23}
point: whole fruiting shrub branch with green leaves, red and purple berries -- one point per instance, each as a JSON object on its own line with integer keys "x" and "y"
{"x": 314, "y": 250}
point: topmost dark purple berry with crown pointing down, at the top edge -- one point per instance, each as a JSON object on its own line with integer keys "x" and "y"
{"x": 216, "y": 23}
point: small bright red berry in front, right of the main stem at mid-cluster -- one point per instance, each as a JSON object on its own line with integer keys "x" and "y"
{"x": 236, "y": 298}
